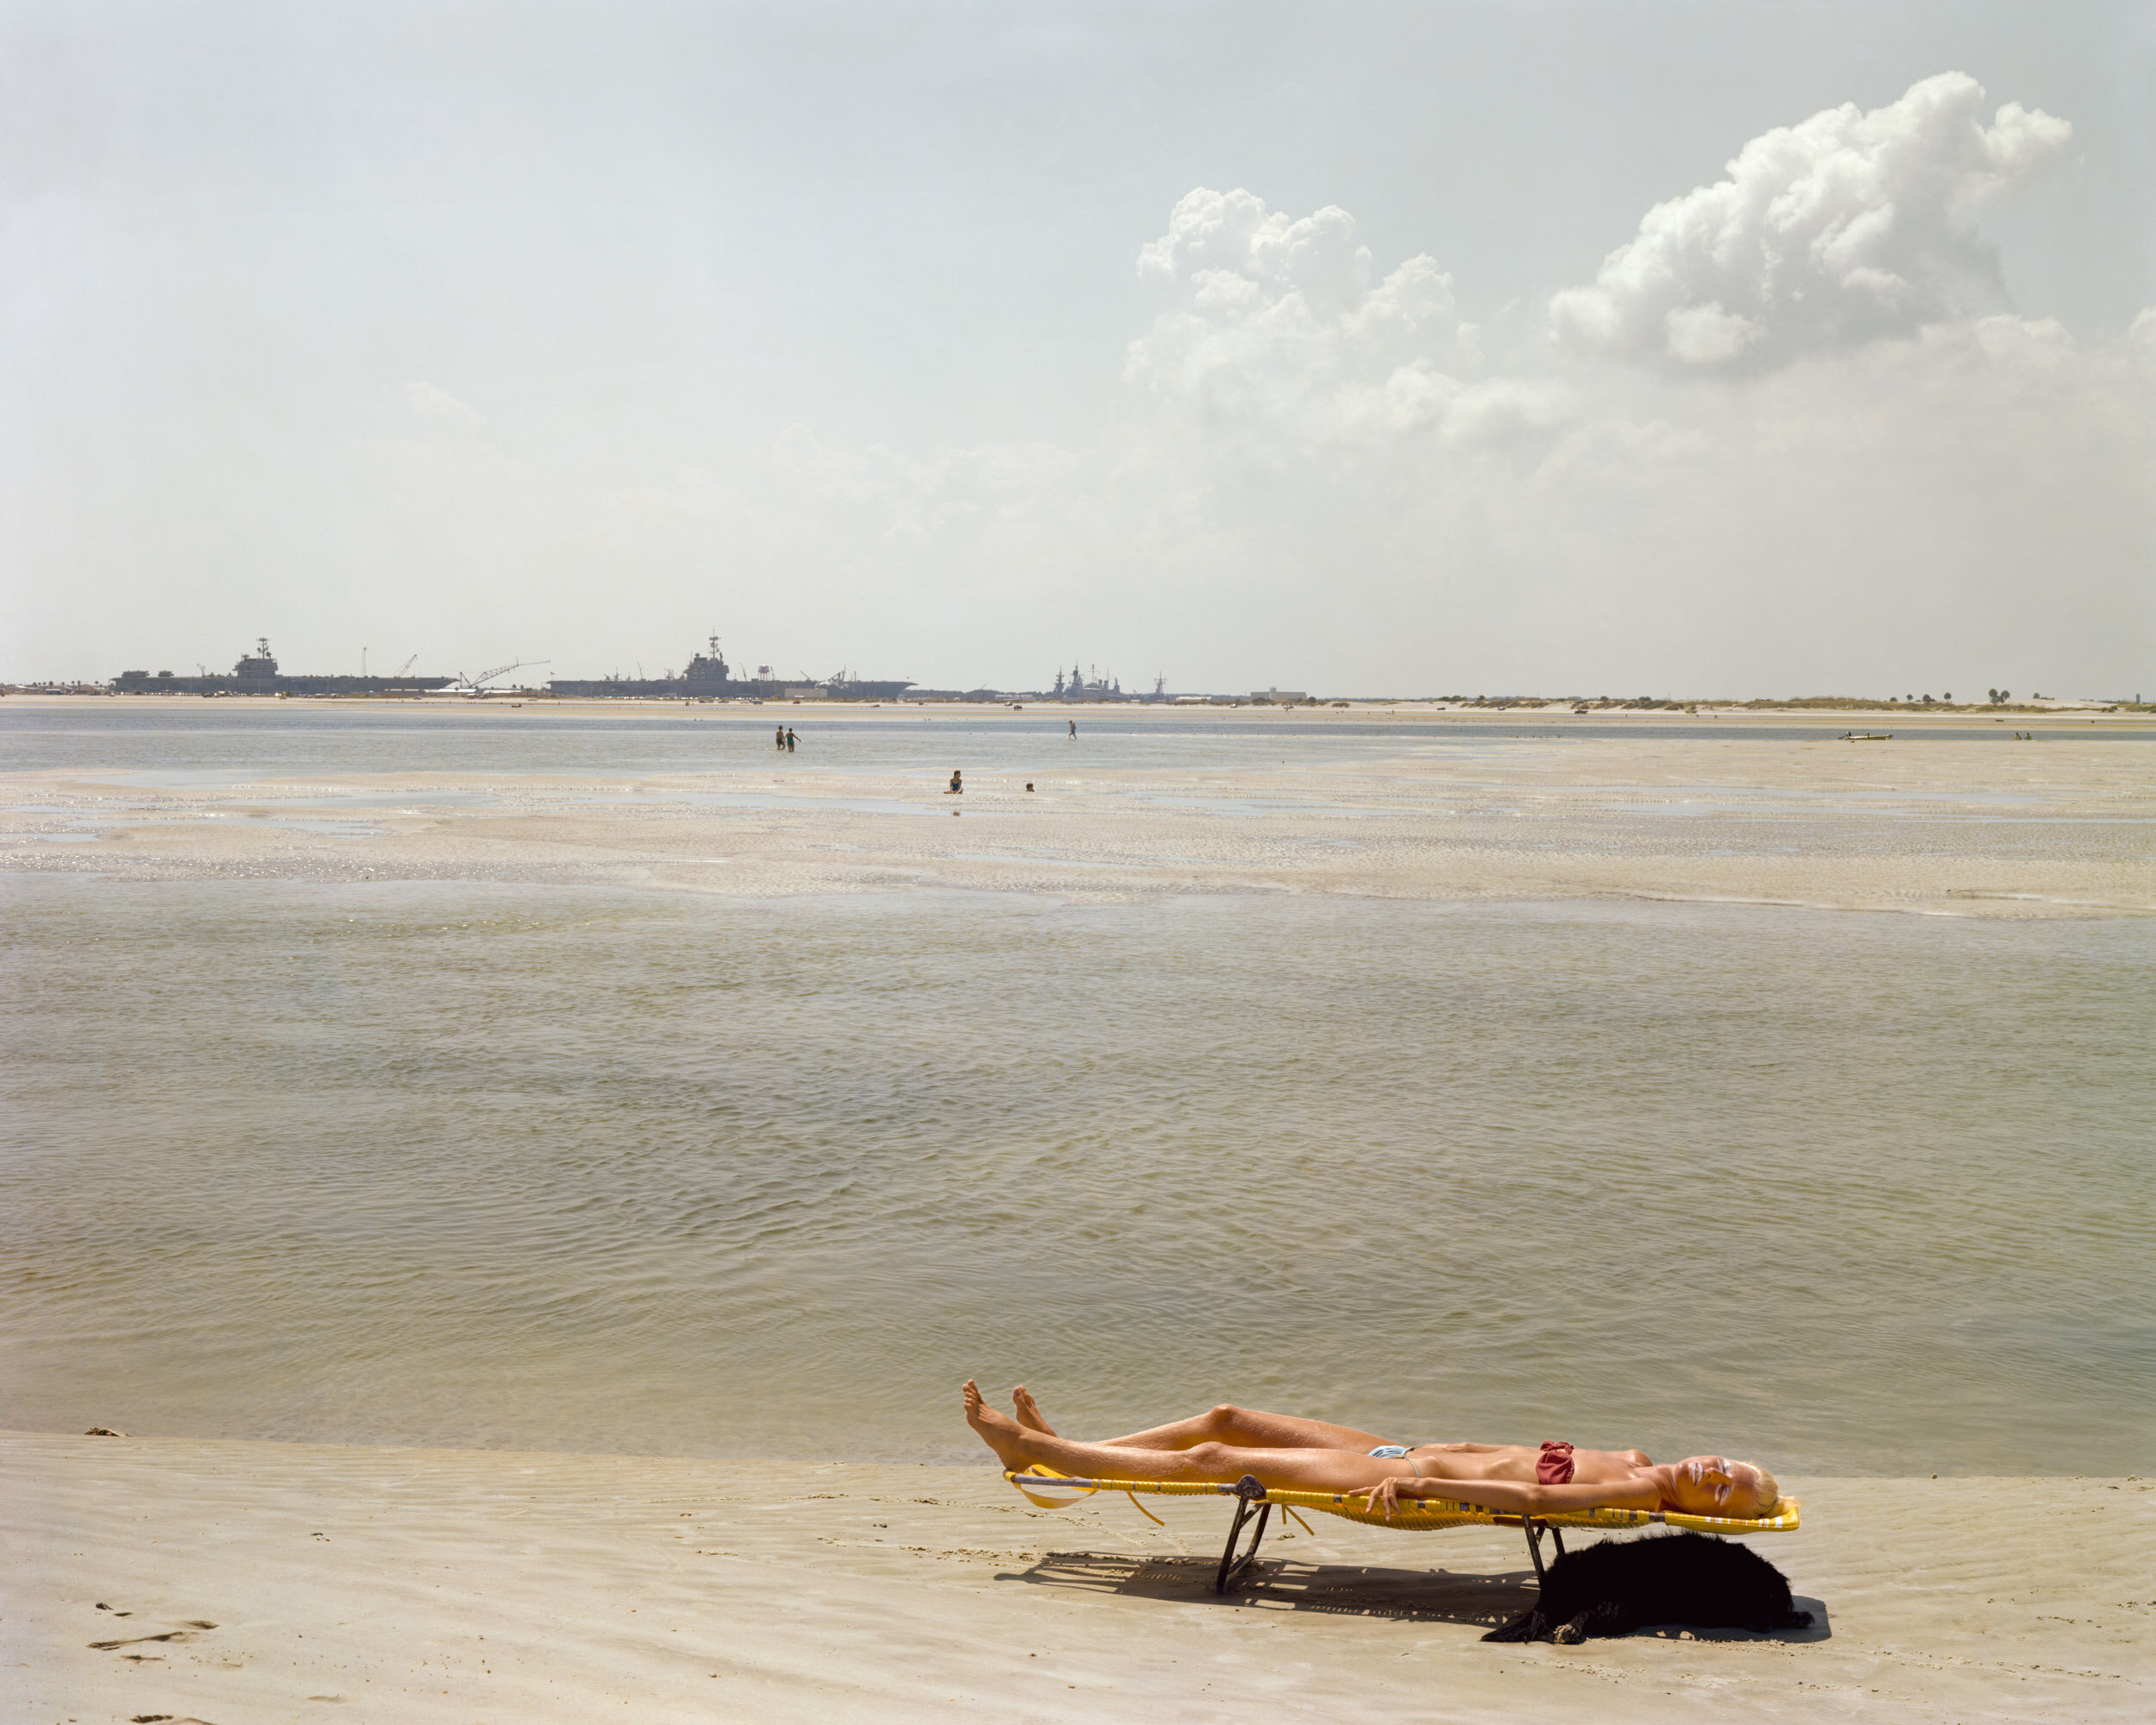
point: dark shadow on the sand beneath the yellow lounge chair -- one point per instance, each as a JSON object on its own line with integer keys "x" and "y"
{"x": 1353, "y": 1590}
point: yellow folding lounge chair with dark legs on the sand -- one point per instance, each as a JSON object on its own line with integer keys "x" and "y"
{"x": 1058, "y": 1491}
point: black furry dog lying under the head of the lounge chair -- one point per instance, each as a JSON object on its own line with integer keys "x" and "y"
{"x": 1622, "y": 1586}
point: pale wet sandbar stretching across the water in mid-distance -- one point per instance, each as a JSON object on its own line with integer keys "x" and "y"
{"x": 1954, "y": 829}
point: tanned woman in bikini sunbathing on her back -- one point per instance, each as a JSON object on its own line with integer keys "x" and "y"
{"x": 1318, "y": 1457}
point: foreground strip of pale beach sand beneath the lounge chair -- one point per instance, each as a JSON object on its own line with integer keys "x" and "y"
{"x": 307, "y": 1582}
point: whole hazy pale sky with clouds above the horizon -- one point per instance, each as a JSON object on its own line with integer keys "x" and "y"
{"x": 1573, "y": 348}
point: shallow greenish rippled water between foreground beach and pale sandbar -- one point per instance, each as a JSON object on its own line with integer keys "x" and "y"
{"x": 641, "y": 1172}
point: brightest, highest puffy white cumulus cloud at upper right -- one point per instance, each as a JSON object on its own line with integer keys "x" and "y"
{"x": 1844, "y": 230}
